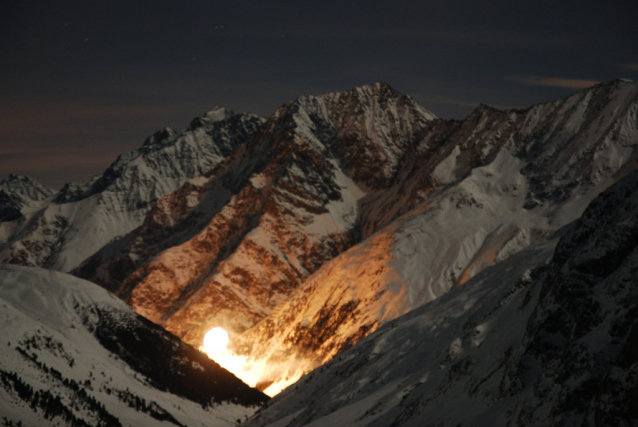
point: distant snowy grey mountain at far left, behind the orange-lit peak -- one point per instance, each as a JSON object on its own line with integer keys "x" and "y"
{"x": 51, "y": 231}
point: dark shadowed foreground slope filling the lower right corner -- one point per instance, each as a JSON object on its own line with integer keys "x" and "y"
{"x": 550, "y": 346}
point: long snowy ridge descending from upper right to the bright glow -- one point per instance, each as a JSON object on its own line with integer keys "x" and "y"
{"x": 426, "y": 252}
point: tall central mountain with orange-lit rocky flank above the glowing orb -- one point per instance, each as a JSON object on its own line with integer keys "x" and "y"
{"x": 229, "y": 245}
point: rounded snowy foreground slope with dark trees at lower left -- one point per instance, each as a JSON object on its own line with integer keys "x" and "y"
{"x": 74, "y": 354}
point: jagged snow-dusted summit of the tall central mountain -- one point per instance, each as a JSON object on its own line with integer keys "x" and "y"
{"x": 368, "y": 127}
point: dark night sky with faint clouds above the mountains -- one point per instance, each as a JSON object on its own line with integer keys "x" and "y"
{"x": 82, "y": 82}
